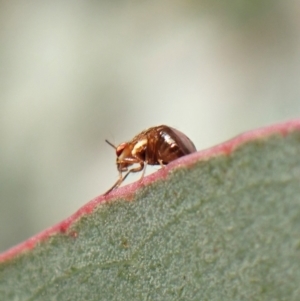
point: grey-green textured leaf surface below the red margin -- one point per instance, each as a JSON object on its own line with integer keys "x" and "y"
{"x": 226, "y": 227}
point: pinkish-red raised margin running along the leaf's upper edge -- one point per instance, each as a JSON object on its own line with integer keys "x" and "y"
{"x": 128, "y": 191}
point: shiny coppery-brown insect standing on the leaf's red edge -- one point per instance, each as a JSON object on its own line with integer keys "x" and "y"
{"x": 157, "y": 145}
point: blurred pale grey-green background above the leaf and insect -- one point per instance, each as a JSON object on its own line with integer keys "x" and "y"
{"x": 74, "y": 73}
